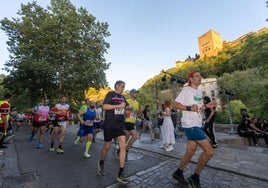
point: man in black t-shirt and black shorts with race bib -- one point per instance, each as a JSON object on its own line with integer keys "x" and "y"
{"x": 113, "y": 127}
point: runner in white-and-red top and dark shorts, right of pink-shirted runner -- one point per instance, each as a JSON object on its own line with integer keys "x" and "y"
{"x": 60, "y": 123}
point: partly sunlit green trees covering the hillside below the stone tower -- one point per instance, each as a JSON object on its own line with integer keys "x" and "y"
{"x": 241, "y": 67}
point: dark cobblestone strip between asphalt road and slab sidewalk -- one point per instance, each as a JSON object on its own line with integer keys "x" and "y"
{"x": 160, "y": 176}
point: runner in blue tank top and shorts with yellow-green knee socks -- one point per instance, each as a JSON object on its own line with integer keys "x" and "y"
{"x": 86, "y": 118}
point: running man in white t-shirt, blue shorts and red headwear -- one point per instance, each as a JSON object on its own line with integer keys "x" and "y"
{"x": 190, "y": 102}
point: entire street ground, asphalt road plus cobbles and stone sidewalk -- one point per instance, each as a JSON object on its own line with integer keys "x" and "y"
{"x": 232, "y": 166}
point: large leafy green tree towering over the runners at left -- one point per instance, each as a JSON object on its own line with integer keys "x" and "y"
{"x": 54, "y": 51}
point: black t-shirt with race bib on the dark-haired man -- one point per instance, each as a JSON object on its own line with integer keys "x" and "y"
{"x": 115, "y": 118}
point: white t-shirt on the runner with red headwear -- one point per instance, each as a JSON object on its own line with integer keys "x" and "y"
{"x": 187, "y": 97}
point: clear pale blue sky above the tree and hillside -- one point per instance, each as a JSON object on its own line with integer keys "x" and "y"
{"x": 148, "y": 36}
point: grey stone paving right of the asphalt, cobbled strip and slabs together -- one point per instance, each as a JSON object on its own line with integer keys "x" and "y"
{"x": 232, "y": 166}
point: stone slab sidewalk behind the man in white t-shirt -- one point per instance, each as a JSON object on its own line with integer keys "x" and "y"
{"x": 243, "y": 160}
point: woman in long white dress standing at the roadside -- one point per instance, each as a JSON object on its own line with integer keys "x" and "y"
{"x": 167, "y": 131}
